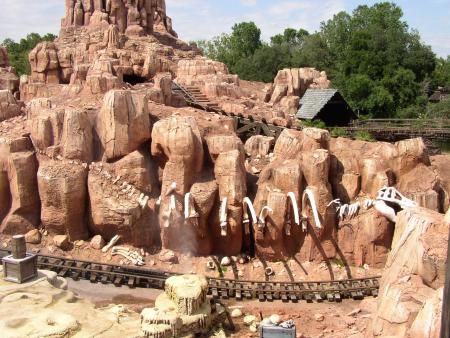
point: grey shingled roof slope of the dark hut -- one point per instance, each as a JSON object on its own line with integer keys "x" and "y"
{"x": 314, "y": 101}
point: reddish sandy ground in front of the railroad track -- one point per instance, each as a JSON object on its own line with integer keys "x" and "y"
{"x": 312, "y": 319}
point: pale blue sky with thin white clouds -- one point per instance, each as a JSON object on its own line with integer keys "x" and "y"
{"x": 204, "y": 19}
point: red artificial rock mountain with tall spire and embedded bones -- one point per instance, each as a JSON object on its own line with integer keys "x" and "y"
{"x": 98, "y": 144}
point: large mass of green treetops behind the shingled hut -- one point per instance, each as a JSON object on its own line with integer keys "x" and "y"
{"x": 381, "y": 66}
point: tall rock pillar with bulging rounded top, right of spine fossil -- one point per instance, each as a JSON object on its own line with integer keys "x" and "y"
{"x": 177, "y": 147}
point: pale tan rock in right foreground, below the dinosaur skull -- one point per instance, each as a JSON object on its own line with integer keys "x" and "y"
{"x": 414, "y": 276}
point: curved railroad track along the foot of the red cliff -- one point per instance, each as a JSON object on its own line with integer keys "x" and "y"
{"x": 309, "y": 291}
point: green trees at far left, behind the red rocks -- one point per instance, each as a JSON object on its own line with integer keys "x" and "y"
{"x": 18, "y": 51}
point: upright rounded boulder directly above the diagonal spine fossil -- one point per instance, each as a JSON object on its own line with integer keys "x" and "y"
{"x": 123, "y": 123}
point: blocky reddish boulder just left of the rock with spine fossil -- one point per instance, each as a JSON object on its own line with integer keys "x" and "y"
{"x": 63, "y": 194}
